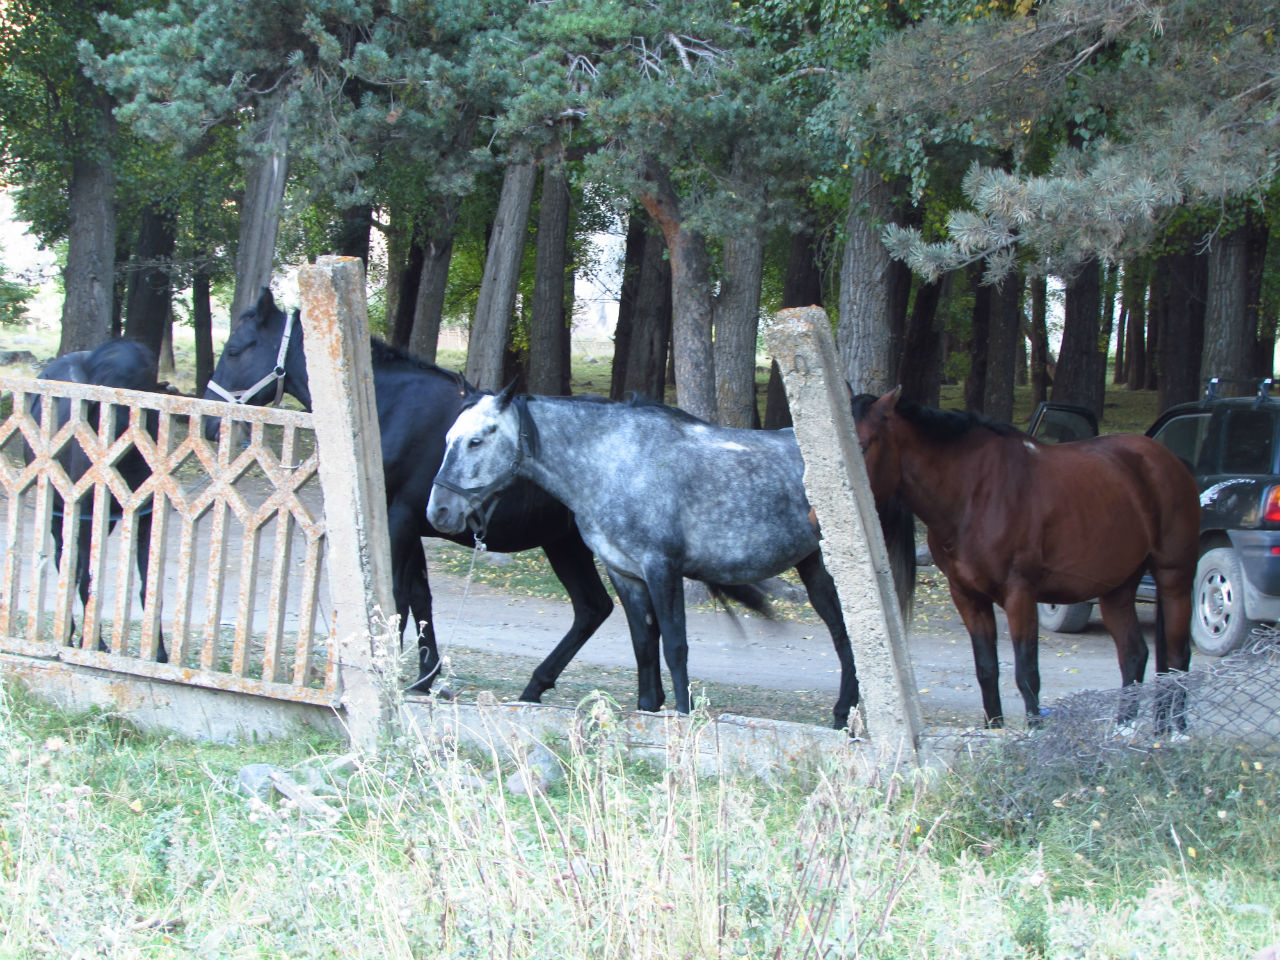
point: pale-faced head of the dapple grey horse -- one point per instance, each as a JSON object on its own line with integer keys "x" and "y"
{"x": 483, "y": 454}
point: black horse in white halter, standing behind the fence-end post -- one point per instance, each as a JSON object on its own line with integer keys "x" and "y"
{"x": 417, "y": 405}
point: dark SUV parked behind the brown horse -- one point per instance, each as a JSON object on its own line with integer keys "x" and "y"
{"x": 1233, "y": 447}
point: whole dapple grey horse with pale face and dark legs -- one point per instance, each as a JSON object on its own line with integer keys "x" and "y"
{"x": 660, "y": 496}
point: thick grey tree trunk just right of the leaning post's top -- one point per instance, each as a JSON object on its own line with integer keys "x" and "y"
{"x": 866, "y": 331}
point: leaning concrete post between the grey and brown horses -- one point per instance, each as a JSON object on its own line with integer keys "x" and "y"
{"x": 835, "y": 481}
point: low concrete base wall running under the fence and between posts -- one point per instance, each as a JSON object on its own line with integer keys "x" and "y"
{"x": 726, "y": 746}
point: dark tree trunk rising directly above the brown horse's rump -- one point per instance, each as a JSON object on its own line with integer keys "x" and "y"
{"x": 1178, "y": 298}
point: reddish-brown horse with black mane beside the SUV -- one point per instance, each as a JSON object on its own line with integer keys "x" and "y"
{"x": 1014, "y": 522}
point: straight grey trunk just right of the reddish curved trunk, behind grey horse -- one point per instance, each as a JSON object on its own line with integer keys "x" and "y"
{"x": 737, "y": 318}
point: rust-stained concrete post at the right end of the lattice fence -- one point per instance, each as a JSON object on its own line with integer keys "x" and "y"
{"x": 336, "y": 327}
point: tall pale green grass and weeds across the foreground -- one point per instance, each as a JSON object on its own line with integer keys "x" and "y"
{"x": 117, "y": 844}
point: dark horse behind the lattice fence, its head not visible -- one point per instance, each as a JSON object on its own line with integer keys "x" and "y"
{"x": 121, "y": 364}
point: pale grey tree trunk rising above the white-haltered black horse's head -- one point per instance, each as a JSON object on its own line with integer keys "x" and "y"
{"x": 266, "y": 177}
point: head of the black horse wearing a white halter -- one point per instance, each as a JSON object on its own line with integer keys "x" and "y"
{"x": 262, "y": 362}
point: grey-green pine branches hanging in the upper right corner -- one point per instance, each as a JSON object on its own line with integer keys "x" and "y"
{"x": 1148, "y": 109}
